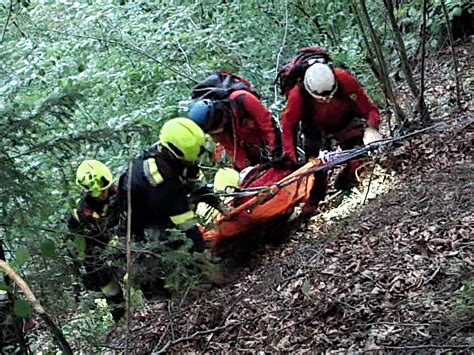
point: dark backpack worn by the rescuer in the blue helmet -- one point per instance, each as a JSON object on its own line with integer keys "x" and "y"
{"x": 220, "y": 85}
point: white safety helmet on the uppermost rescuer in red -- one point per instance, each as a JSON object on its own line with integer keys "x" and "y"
{"x": 320, "y": 82}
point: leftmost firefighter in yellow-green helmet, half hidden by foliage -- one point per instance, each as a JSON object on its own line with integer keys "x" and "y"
{"x": 92, "y": 221}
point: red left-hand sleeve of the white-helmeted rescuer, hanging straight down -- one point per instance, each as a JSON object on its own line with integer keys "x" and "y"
{"x": 290, "y": 118}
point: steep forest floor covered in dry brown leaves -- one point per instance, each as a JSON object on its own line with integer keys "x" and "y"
{"x": 392, "y": 274}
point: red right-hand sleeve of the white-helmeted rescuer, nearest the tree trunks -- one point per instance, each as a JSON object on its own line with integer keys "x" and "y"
{"x": 354, "y": 90}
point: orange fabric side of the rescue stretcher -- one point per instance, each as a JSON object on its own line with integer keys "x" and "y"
{"x": 263, "y": 207}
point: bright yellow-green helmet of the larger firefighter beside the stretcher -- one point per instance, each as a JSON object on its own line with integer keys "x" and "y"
{"x": 182, "y": 137}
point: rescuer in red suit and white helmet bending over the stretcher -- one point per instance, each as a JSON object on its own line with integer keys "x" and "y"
{"x": 330, "y": 104}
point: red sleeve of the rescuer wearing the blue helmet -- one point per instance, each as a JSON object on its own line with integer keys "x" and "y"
{"x": 260, "y": 115}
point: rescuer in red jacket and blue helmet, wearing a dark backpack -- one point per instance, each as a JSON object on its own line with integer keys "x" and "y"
{"x": 237, "y": 120}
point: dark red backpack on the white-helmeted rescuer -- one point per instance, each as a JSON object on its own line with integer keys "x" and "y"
{"x": 291, "y": 73}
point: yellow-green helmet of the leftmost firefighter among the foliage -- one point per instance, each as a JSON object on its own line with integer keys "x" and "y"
{"x": 94, "y": 177}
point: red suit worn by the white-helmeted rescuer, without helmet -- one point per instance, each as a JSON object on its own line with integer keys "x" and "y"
{"x": 321, "y": 119}
